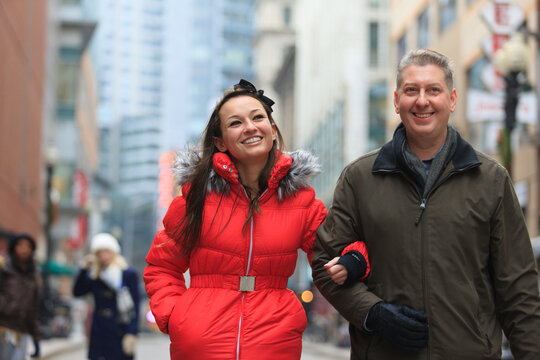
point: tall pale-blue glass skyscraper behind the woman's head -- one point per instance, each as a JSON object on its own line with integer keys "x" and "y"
{"x": 161, "y": 67}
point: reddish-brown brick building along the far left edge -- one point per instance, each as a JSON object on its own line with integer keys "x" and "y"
{"x": 23, "y": 28}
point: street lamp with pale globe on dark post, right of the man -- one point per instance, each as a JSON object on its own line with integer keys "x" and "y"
{"x": 510, "y": 62}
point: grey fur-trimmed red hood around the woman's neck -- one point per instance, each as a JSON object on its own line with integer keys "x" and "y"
{"x": 292, "y": 172}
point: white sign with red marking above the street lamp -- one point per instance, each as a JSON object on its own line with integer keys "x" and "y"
{"x": 502, "y": 16}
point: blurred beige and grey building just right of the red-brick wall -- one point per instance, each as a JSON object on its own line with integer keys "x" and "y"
{"x": 73, "y": 133}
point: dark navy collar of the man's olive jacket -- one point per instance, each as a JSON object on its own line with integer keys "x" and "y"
{"x": 387, "y": 161}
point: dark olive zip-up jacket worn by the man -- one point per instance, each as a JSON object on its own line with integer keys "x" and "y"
{"x": 462, "y": 255}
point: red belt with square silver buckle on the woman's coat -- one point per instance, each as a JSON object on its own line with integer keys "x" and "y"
{"x": 239, "y": 283}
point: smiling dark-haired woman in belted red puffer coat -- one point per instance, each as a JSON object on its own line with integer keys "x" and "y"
{"x": 245, "y": 209}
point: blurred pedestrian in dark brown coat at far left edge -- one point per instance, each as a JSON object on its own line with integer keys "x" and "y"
{"x": 19, "y": 299}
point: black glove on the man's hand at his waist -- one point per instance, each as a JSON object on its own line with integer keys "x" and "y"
{"x": 401, "y": 326}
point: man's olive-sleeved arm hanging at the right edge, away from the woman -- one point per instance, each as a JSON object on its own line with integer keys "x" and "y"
{"x": 515, "y": 277}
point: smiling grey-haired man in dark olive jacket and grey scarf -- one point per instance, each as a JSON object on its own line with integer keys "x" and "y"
{"x": 452, "y": 265}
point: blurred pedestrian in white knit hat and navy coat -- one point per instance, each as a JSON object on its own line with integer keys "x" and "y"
{"x": 114, "y": 285}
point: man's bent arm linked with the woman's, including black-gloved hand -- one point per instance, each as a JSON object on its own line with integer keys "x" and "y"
{"x": 402, "y": 327}
